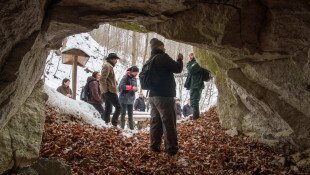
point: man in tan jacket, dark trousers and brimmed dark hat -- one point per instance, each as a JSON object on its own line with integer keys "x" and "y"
{"x": 108, "y": 86}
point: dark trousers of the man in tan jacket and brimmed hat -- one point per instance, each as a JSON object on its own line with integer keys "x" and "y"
{"x": 112, "y": 100}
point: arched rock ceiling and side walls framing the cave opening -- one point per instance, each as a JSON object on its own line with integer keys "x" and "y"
{"x": 257, "y": 50}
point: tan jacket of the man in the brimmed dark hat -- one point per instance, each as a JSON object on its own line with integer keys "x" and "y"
{"x": 107, "y": 81}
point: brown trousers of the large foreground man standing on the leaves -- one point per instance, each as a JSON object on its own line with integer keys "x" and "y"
{"x": 163, "y": 123}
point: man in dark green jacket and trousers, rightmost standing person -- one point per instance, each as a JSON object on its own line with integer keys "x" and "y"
{"x": 194, "y": 83}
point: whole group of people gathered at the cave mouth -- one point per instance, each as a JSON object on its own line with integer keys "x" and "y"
{"x": 164, "y": 109}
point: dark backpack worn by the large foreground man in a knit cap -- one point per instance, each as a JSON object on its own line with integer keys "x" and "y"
{"x": 145, "y": 75}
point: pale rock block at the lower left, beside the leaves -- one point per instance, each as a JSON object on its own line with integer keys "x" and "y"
{"x": 21, "y": 137}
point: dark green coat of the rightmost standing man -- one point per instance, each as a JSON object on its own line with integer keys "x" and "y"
{"x": 194, "y": 78}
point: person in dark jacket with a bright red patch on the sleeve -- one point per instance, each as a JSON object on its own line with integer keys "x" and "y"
{"x": 128, "y": 88}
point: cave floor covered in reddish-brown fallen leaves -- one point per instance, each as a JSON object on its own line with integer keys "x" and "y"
{"x": 205, "y": 148}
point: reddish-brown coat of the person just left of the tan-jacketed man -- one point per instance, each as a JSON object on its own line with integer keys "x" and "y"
{"x": 94, "y": 96}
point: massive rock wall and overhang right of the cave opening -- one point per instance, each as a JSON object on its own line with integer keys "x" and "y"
{"x": 262, "y": 64}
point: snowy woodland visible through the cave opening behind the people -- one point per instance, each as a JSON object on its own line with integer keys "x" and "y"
{"x": 133, "y": 49}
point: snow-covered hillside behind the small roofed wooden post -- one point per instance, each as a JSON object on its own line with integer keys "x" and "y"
{"x": 55, "y": 71}
